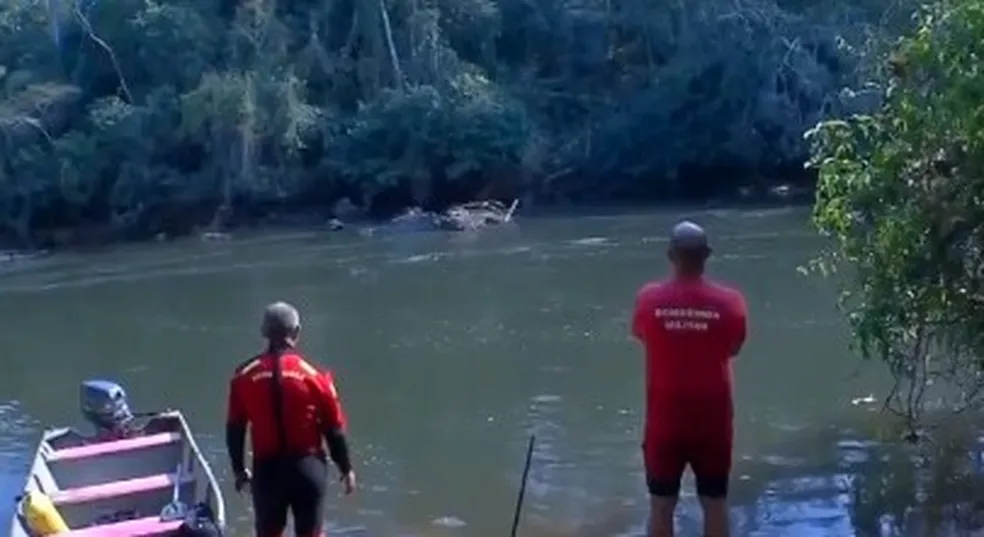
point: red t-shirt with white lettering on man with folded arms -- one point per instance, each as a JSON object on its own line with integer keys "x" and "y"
{"x": 691, "y": 329}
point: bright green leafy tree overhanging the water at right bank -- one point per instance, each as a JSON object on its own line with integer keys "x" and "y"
{"x": 901, "y": 193}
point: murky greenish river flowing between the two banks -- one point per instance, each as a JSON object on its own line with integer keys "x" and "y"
{"x": 450, "y": 349}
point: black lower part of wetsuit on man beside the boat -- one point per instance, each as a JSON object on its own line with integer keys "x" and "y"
{"x": 297, "y": 485}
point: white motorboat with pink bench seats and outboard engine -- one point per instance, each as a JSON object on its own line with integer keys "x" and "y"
{"x": 138, "y": 476}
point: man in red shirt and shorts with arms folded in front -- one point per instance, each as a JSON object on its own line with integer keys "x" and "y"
{"x": 691, "y": 328}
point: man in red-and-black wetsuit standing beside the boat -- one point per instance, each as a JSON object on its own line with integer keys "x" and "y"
{"x": 291, "y": 409}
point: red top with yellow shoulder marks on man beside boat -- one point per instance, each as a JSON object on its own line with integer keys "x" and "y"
{"x": 310, "y": 405}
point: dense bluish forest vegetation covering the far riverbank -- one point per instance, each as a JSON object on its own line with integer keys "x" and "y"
{"x": 142, "y": 116}
